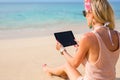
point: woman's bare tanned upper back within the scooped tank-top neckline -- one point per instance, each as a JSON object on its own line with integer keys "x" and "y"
{"x": 106, "y": 39}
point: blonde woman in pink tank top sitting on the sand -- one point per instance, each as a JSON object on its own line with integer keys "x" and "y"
{"x": 98, "y": 50}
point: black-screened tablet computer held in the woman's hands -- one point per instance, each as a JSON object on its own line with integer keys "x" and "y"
{"x": 66, "y": 38}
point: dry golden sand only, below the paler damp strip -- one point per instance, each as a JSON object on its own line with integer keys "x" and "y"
{"x": 22, "y": 58}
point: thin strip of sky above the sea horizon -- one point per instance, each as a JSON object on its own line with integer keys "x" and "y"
{"x": 45, "y": 0}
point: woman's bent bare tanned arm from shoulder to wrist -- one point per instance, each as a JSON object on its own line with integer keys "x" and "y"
{"x": 80, "y": 54}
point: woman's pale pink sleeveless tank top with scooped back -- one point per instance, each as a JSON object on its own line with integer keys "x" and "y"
{"x": 104, "y": 68}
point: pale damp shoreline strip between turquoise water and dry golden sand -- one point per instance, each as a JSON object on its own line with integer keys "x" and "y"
{"x": 77, "y": 28}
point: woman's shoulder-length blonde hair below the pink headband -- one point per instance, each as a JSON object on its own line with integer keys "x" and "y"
{"x": 103, "y": 12}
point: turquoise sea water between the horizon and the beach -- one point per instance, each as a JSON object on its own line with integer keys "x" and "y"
{"x": 38, "y": 15}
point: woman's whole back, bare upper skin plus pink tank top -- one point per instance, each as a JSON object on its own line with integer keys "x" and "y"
{"x": 102, "y": 59}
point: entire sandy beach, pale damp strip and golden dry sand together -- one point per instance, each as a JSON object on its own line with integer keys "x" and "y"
{"x": 23, "y": 52}
